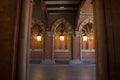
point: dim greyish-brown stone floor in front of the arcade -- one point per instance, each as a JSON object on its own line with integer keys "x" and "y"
{"x": 62, "y": 72}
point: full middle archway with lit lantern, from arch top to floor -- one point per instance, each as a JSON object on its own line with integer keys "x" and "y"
{"x": 62, "y": 41}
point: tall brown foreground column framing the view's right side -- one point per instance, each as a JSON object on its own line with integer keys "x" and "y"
{"x": 100, "y": 38}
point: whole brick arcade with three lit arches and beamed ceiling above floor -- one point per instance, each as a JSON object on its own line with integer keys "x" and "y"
{"x": 63, "y": 40}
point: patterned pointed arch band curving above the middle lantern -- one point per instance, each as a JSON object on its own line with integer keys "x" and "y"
{"x": 58, "y": 22}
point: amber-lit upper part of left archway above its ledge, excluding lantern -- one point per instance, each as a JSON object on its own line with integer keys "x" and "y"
{"x": 37, "y": 27}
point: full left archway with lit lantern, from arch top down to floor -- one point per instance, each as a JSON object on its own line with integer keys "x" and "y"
{"x": 37, "y": 41}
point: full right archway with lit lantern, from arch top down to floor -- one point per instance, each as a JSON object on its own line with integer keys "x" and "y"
{"x": 87, "y": 41}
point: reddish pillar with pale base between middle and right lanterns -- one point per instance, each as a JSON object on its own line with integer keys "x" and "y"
{"x": 75, "y": 57}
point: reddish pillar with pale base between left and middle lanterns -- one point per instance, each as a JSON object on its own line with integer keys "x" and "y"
{"x": 48, "y": 57}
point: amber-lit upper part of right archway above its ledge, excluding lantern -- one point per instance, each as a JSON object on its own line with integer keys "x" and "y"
{"x": 87, "y": 28}
